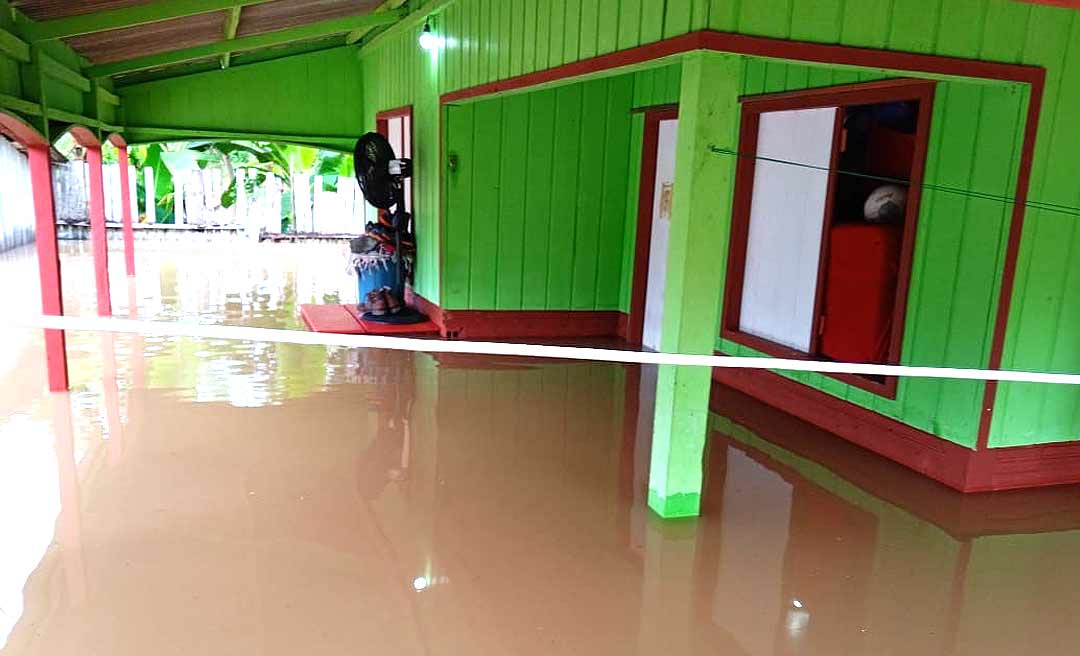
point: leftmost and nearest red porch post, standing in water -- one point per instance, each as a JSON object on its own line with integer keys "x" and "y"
{"x": 49, "y": 263}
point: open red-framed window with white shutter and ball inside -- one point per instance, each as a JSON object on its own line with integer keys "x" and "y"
{"x": 827, "y": 203}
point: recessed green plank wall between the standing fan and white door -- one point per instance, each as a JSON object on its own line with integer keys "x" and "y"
{"x": 537, "y": 203}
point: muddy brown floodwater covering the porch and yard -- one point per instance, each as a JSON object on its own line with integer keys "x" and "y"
{"x": 209, "y": 498}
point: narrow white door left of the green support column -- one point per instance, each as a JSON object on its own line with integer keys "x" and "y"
{"x": 664, "y": 193}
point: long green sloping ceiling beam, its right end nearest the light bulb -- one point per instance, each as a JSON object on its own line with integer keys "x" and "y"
{"x": 303, "y": 33}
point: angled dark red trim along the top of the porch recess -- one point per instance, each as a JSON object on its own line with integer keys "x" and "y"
{"x": 763, "y": 47}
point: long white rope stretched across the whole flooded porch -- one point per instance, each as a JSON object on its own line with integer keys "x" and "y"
{"x": 526, "y": 351}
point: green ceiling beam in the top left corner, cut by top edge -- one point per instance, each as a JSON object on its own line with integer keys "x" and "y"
{"x": 130, "y": 17}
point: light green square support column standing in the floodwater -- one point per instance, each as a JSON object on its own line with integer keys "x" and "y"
{"x": 698, "y": 245}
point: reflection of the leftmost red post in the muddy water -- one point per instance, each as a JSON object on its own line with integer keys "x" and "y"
{"x": 70, "y": 524}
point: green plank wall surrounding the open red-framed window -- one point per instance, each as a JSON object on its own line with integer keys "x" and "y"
{"x": 960, "y": 249}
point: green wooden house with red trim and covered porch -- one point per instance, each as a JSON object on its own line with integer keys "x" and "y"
{"x": 693, "y": 176}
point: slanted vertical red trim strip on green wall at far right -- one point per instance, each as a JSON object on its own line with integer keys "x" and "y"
{"x": 1012, "y": 253}
